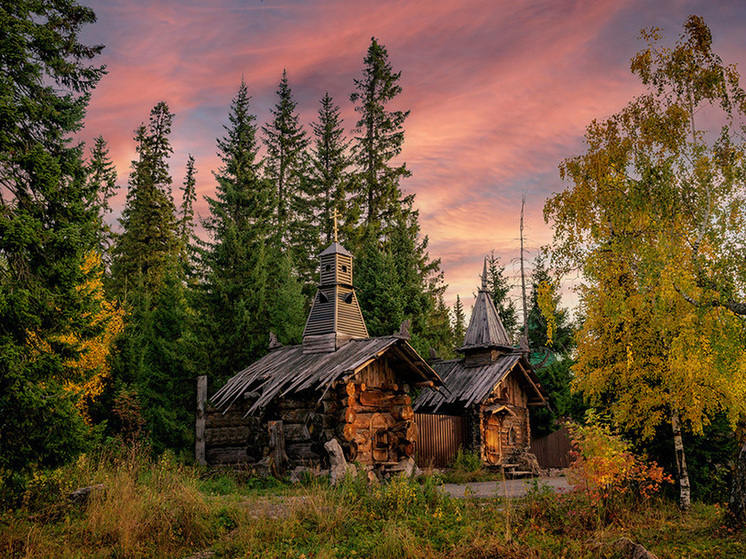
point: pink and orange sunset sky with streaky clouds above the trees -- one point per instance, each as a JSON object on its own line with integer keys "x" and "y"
{"x": 499, "y": 91}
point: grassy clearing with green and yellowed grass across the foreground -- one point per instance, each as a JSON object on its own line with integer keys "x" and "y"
{"x": 164, "y": 509}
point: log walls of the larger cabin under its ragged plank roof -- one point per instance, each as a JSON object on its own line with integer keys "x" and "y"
{"x": 371, "y": 417}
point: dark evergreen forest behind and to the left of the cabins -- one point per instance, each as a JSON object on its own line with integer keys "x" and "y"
{"x": 107, "y": 320}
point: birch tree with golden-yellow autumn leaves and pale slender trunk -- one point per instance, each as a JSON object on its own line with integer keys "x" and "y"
{"x": 653, "y": 218}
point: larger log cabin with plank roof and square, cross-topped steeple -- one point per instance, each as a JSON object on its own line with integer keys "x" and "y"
{"x": 339, "y": 383}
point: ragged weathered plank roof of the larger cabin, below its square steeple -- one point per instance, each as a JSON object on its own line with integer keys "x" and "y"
{"x": 288, "y": 370}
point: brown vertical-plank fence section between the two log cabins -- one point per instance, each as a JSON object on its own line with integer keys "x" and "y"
{"x": 439, "y": 438}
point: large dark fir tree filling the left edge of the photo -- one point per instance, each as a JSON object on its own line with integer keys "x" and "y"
{"x": 48, "y": 225}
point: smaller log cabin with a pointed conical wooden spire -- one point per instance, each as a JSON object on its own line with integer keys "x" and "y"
{"x": 491, "y": 388}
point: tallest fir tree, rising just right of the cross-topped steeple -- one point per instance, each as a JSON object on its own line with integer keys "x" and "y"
{"x": 398, "y": 280}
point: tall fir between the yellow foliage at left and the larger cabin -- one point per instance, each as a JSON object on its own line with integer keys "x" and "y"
{"x": 153, "y": 362}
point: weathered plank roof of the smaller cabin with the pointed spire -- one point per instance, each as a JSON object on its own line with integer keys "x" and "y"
{"x": 468, "y": 385}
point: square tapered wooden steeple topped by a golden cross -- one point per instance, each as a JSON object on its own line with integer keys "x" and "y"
{"x": 335, "y": 316}
